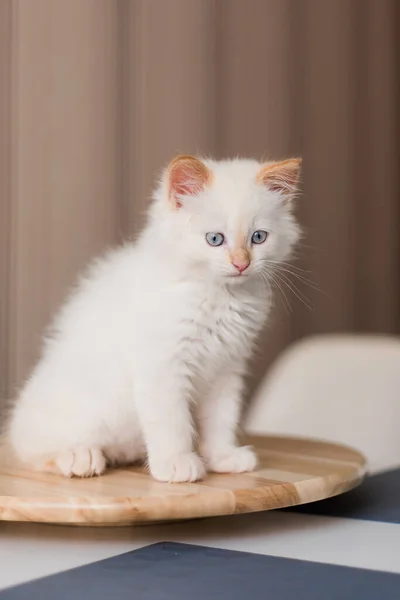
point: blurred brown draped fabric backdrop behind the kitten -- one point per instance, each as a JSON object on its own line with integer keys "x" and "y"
{"x": 96, "y": 95}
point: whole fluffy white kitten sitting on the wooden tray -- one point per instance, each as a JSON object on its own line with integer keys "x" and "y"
{"x": 147, "y": 357}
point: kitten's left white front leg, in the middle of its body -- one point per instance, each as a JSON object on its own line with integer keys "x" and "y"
{"x": 166, "y": 421}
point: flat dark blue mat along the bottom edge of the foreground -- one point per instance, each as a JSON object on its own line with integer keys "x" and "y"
{"x": 170, "y": 571}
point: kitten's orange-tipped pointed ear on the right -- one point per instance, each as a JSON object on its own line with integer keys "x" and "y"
{"x": 282, "y": 177}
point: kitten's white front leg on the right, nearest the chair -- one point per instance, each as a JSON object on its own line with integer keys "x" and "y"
{"x": 219, "y": 415}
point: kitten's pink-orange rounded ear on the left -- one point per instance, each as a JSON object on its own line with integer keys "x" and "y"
{"x": 187, "y": 176}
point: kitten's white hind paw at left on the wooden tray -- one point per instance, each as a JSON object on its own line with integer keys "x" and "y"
{"x": 81, "y": 462}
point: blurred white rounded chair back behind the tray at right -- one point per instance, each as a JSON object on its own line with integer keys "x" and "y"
{"x": 338, "y": 388}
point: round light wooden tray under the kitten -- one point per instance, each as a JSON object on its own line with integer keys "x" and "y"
{"x": 290, "y": 472}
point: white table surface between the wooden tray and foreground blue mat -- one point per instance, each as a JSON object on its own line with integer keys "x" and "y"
{"x": 29, "y": 551}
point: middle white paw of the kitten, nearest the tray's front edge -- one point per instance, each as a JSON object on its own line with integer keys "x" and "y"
{"x": 177, "y": 469}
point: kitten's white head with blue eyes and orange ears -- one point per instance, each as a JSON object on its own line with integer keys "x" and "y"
{"x": 231, "y": 219}
